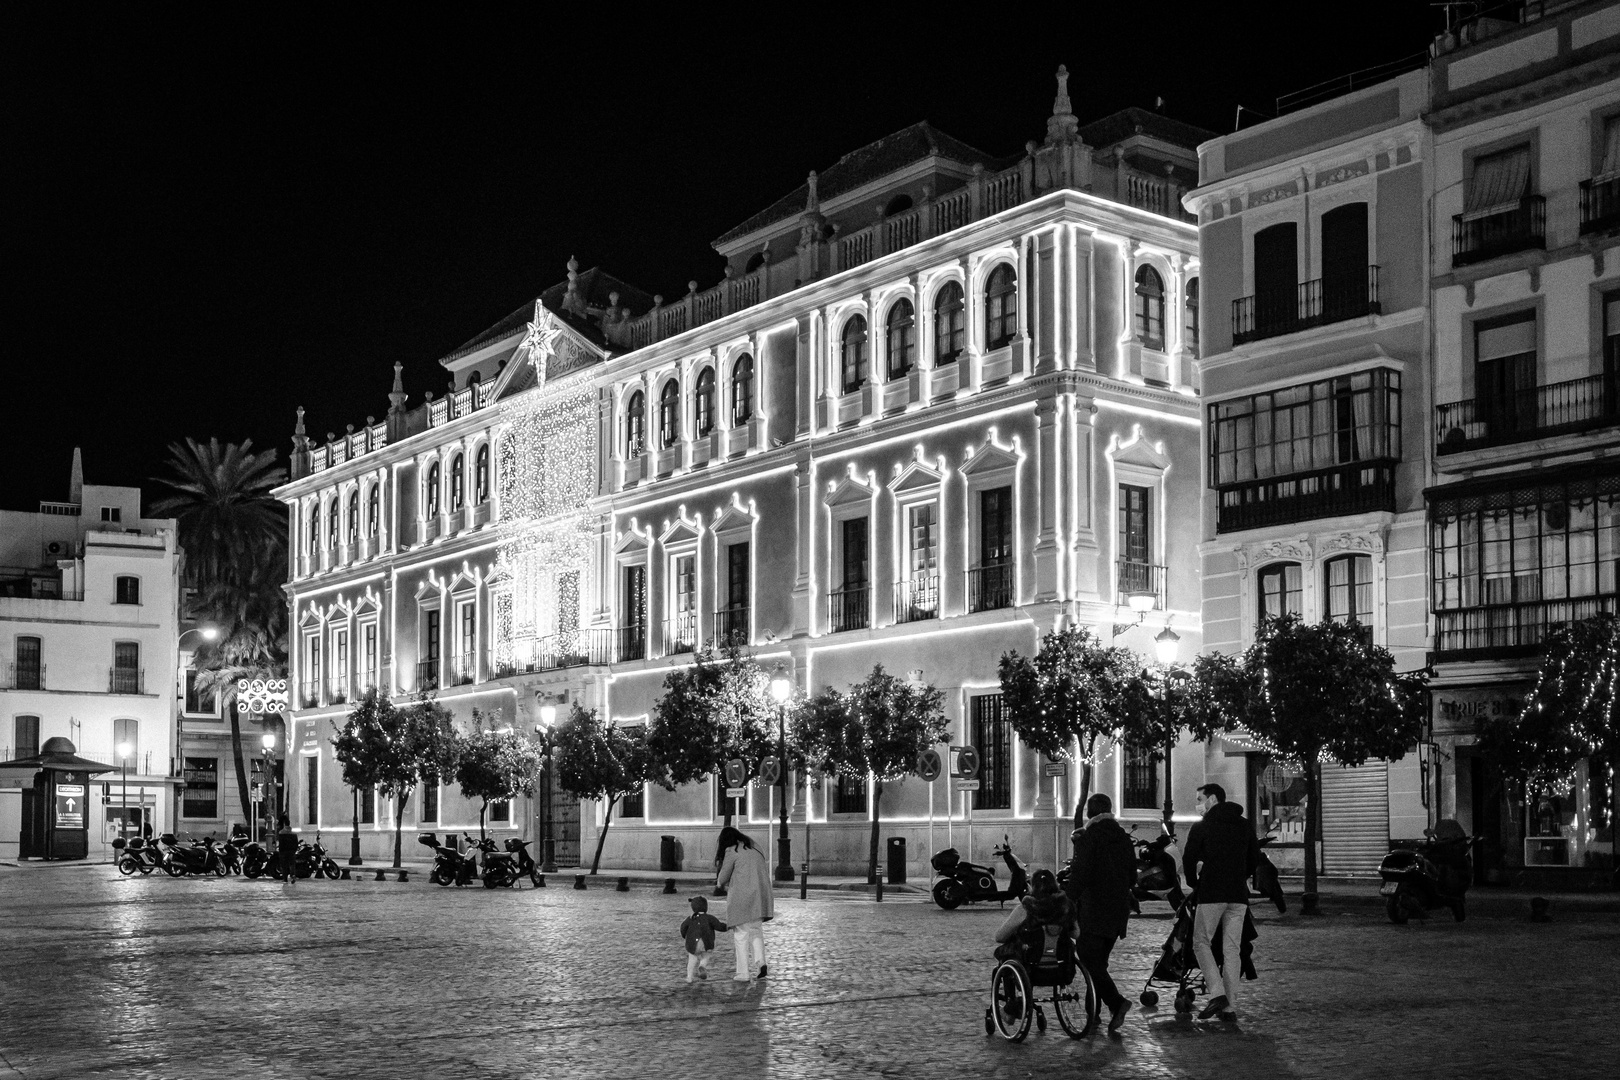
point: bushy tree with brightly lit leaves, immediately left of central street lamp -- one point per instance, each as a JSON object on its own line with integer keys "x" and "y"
{"x": 715, "y": 712}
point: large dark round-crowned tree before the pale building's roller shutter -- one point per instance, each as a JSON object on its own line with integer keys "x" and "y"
{"x": 1311, "y": 694}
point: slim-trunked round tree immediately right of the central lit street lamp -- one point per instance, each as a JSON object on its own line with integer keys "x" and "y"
{"x": 876, "y": 733}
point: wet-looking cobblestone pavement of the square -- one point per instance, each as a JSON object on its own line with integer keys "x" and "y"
{"x": 147, "y": 979}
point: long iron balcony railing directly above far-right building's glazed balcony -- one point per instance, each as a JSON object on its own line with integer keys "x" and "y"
{"x": 1533, "y": 414}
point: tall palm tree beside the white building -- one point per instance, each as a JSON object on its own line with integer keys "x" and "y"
{"x": 234, "y": 534}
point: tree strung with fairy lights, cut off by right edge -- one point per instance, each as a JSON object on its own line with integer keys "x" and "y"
{"x": 1572, "y": 715}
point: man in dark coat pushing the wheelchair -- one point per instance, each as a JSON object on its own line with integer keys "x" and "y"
{"x": 1101, "y": 882}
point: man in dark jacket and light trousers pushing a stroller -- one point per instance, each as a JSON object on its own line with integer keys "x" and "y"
{"x": 1219, "y": 861}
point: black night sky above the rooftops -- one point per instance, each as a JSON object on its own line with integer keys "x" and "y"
{"x": 216, "y": 216}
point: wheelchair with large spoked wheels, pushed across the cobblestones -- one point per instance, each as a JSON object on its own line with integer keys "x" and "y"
{"x": 1042, "y": 956}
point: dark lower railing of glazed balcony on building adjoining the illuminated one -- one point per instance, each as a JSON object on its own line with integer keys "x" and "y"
{"x": 1329, "y": 493}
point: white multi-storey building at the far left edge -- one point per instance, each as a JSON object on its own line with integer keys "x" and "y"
{"x": 90, "y": 613}
